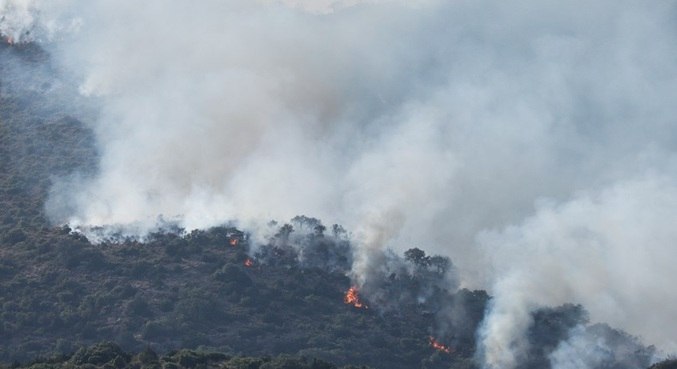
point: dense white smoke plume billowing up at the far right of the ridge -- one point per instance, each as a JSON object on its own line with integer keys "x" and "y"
{"x": 612, "y": 251}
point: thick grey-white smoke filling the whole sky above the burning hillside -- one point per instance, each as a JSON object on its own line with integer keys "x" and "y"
{"x": 531, "y": 141}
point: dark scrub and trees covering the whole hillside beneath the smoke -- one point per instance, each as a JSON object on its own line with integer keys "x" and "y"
{"x": 219, "y": 299}
